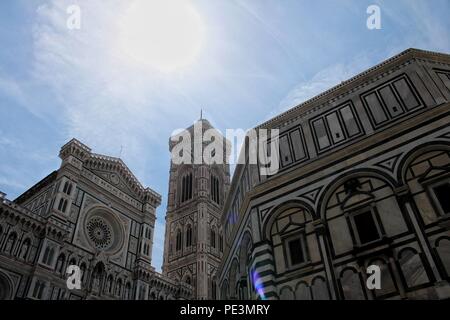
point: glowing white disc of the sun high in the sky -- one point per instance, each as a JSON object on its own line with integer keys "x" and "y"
{"x": 166, "y": 35}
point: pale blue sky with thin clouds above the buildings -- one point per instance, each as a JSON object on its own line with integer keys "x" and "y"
{"x": 240, "y": 61}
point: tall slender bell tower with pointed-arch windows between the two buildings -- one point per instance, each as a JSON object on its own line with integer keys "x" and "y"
{"x": 198, "y": 183}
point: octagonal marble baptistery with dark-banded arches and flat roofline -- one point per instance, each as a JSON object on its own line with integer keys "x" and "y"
{"x": 363, "y": 181}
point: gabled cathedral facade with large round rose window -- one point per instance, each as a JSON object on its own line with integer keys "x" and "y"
{"x": 91, "y": 213}
